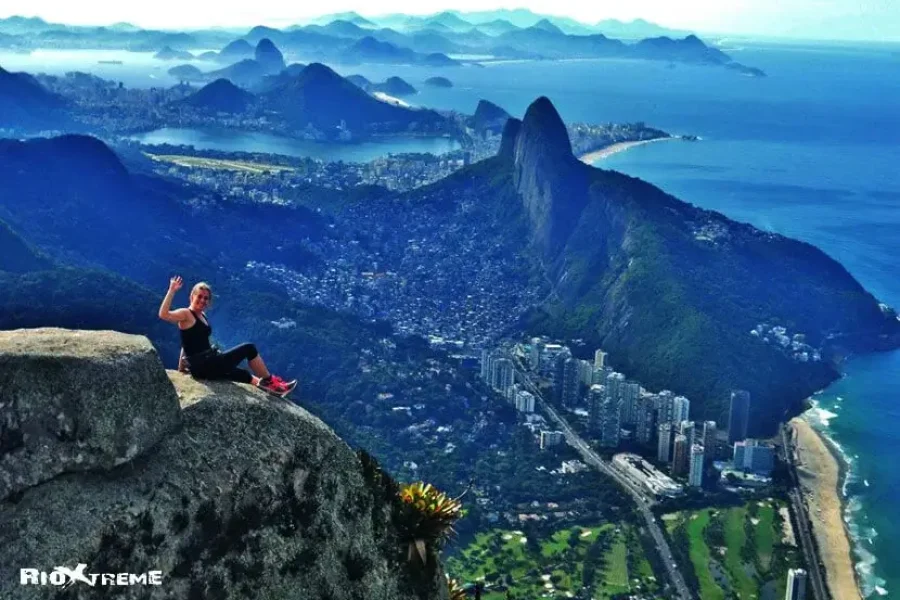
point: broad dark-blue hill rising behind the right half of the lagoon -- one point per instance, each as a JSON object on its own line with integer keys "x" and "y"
{"x": 322, "y": 98}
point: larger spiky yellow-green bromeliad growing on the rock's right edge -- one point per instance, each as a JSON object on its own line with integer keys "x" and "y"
{"x": 429, "y": 517}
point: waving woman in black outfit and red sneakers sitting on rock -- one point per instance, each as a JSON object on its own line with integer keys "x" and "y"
{"x": 206, "y": 362}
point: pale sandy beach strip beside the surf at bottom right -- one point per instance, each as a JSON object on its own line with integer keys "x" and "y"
{"x": 820, "y": 479}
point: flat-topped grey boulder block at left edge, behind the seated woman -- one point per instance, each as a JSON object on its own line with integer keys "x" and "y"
{"x": 68, "y": 403}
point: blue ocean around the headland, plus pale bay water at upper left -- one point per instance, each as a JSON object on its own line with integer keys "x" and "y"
{"x": 811, "y": 151}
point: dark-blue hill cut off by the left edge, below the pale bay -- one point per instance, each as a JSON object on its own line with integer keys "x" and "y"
{"x": 25, "y": 104}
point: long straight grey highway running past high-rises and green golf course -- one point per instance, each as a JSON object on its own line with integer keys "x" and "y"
{"x": 591, "y": 458}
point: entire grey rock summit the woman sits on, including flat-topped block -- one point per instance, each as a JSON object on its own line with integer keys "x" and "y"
{"x": 228, "y": 492}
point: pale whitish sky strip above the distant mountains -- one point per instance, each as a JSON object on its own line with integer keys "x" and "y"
{"x": 822, "y": 19}
